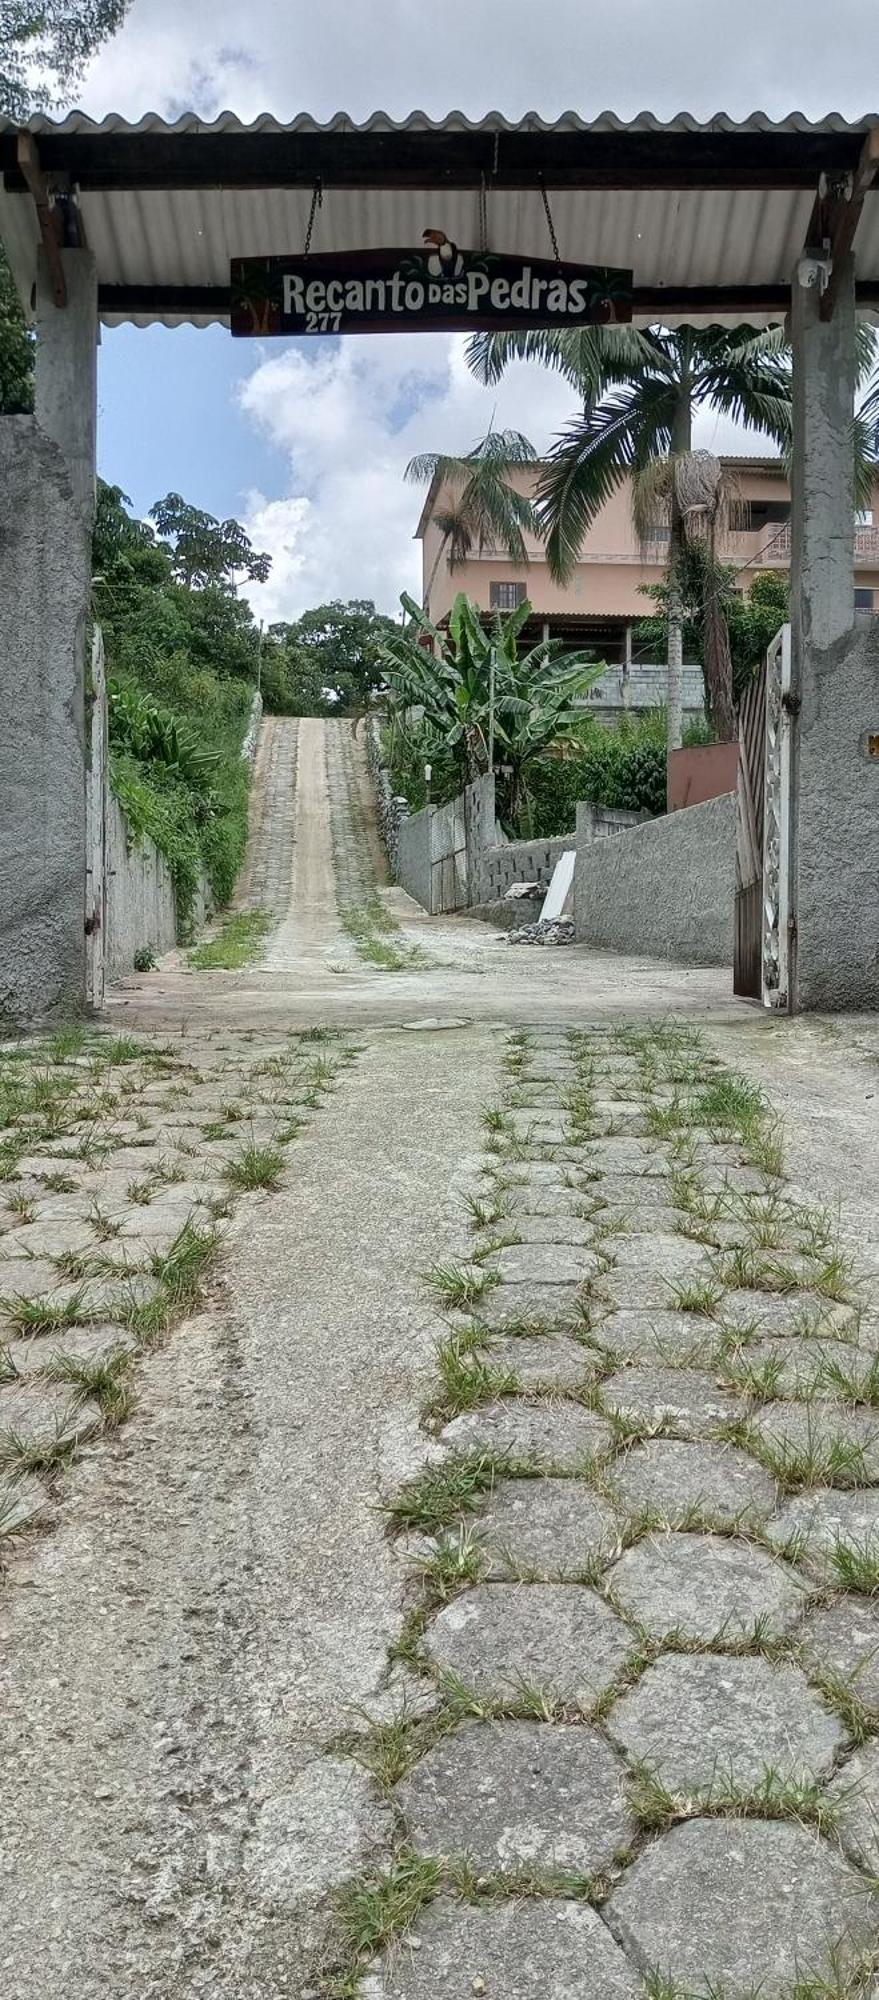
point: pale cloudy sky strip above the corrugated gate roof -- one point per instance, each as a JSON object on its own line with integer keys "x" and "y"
{"x": 510, "y": 55}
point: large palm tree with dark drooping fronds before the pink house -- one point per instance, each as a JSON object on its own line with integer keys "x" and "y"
{"x": 640, "y": 389}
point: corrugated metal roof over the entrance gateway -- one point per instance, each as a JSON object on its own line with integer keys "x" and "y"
{"x": 676, "y": 239}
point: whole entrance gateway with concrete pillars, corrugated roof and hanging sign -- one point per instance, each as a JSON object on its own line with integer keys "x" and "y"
{"x": 287, "y": 227}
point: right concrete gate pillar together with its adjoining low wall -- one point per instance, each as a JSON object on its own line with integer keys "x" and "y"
{"x": 836, "y": 679}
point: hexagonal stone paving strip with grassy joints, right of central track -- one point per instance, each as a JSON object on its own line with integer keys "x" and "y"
{"x": 642, "y": 1753}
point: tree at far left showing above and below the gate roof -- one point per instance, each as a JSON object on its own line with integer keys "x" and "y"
{"x": 45, "y": 47}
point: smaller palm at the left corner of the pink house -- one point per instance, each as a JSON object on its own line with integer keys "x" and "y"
{"x": 484, "y": 507}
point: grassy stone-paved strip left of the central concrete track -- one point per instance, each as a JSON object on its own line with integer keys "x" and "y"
{"x": 119, "y": 1165}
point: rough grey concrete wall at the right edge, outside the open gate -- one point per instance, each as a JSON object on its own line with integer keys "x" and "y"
{"x": 836, "y": 887}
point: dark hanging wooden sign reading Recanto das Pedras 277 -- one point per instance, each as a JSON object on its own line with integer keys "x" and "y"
{"x": 439, "y": 289}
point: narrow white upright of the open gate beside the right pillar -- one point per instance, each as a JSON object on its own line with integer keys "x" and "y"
{"x": 778, "y": 827}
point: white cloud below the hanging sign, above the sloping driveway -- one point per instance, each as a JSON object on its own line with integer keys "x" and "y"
{"x": 351, "y": 417}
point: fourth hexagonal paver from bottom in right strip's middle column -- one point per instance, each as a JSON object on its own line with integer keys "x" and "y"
{"x": 674, "y": 1479}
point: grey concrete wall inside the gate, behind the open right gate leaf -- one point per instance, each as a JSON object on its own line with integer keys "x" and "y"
{"x": 664, "y": 889}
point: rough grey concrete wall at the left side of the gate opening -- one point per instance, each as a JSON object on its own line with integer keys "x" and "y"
{"x": 45, "y": 535}
